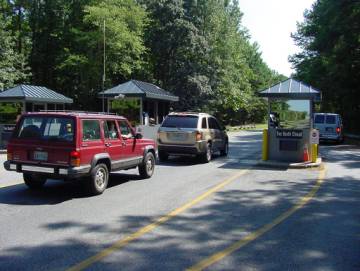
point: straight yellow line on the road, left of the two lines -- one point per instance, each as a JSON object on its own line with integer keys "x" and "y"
{"x": 123, "y": 242}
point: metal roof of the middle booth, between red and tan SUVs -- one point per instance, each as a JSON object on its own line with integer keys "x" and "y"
{"x": 135, "y": 88}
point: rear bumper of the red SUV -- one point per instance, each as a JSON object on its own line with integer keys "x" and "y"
{"x": 51, "y": 171}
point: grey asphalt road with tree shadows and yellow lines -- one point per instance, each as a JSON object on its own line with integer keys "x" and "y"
{"x": 226, "y": 215}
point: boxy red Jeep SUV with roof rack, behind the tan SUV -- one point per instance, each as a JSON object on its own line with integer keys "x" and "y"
{"x": 72, "y": 145}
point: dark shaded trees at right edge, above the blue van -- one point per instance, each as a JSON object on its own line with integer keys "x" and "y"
{"x": 330, "y": 57}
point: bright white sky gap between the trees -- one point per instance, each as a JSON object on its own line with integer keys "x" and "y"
{"x": 270, "y": 24}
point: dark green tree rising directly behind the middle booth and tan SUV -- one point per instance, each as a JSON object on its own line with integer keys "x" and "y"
{"x": 177, "y": 51}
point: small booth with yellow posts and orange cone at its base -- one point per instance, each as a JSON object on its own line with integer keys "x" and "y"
{"x": 290, "y": 136}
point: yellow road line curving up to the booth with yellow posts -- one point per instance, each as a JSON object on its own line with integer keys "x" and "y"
{"x": 256, "y": 234}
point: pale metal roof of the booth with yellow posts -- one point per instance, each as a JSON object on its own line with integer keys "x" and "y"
{"x": 291, "y": 89}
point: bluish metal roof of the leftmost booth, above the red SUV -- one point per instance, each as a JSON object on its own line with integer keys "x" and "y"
{"x": 33, "y": 94}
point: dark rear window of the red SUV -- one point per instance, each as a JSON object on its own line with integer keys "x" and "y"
{"x": 46, "y": 128}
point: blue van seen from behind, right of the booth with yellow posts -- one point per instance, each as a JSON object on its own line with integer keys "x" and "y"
{"x": 329, "y": 125}
